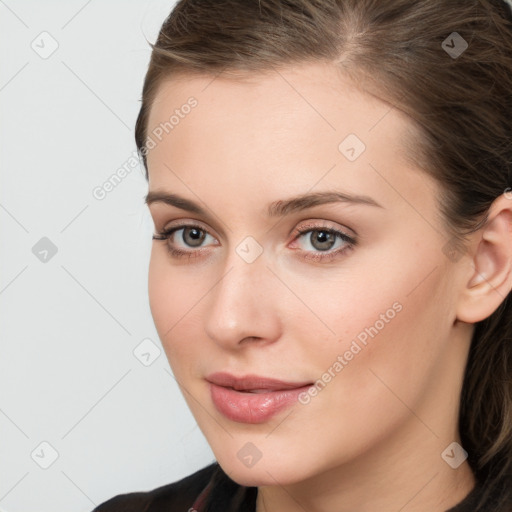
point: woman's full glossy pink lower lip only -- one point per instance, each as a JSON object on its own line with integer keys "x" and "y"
{"x": 253, "y": 407}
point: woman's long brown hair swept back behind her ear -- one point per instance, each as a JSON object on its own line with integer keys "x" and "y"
{"x": 461, "y": 106}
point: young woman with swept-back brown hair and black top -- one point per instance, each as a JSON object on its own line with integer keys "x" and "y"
{"x": 331, "y": 273}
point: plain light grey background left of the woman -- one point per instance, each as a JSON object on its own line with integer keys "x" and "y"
{"x": 82, "y": 416}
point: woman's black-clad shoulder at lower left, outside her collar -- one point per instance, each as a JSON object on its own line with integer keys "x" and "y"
{"x": 178, "y": 495}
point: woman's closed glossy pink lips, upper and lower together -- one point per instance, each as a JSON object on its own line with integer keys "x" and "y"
{"x": 252, "y": 398}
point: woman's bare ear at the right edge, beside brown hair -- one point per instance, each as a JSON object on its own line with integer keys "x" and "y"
{"x": 490, "y": 266}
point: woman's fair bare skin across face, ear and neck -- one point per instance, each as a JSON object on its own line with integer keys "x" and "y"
{"x": 372, "y": 438}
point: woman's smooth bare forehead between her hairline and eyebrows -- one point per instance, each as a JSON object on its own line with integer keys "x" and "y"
{"x": 289, "y": 127}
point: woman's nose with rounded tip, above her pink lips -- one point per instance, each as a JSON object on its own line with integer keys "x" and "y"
{"x": 243, "y": 306}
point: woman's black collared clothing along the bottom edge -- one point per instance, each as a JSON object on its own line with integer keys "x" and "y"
{"x": 211, "y": 490}
